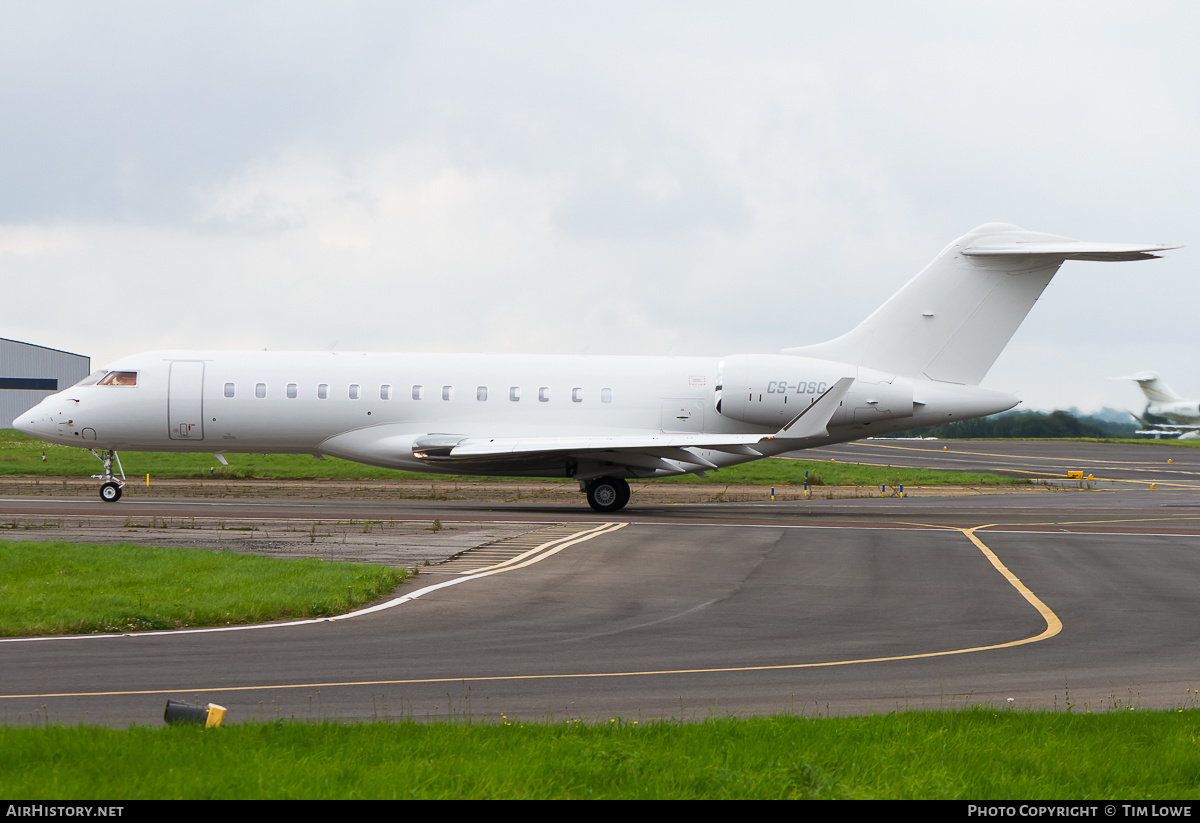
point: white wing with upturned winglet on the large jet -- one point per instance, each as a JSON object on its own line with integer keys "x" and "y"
{"x": 668, "y": 452}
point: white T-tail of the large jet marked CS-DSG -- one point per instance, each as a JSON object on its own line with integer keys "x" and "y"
{"x": 952, "y": 321}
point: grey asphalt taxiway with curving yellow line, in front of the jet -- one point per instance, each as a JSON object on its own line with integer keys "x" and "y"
{"x": 1072, "y": 598}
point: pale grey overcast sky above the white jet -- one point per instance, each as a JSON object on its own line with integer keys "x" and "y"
{"x": 592, "y": 178}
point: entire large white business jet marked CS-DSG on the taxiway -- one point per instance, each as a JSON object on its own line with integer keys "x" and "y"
{"x": 602, "y": 420}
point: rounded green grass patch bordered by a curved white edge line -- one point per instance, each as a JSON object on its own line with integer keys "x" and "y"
{"x": 56, "y": 588}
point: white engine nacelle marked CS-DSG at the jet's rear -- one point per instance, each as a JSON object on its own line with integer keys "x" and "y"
{"x": 772, "y": 389}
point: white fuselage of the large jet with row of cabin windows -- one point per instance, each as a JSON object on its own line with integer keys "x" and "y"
{"x": 375, "y": 409}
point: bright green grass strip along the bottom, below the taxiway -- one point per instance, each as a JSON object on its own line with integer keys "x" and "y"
{"x": 980, "y": 754}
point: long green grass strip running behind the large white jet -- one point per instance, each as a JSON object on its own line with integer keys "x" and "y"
{"x": 22, "y": 456}
